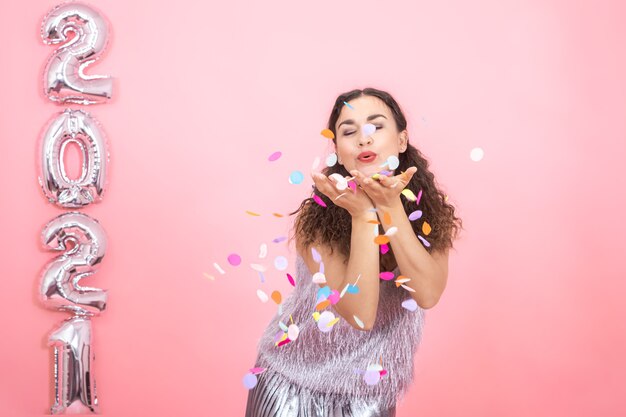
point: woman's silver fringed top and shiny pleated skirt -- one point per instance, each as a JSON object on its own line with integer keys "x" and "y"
{"x": 321, "y": 374}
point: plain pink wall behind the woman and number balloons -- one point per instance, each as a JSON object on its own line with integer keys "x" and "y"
{"x": 533, "y": 319}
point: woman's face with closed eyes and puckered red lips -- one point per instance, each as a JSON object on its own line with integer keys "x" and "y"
{"x": 366, "y": 153}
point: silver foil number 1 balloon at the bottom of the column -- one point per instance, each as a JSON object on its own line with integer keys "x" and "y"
{"x": 75, "y": 385}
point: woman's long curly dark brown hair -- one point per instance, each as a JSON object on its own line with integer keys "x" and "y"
{"x": 332, "y": 225}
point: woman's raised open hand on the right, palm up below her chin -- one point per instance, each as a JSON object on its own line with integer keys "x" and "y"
{"x": 384, "y": 191}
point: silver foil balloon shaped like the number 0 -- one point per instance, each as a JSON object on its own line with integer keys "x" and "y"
{"x": 78, "y": 127}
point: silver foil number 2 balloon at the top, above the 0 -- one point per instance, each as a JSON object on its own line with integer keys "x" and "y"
{"x": 64, "y": 80}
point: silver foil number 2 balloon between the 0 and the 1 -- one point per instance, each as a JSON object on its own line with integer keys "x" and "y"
{"x": 59, "y": 288}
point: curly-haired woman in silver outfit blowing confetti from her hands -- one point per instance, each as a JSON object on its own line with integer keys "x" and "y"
{"x": 361, "y": 364}
